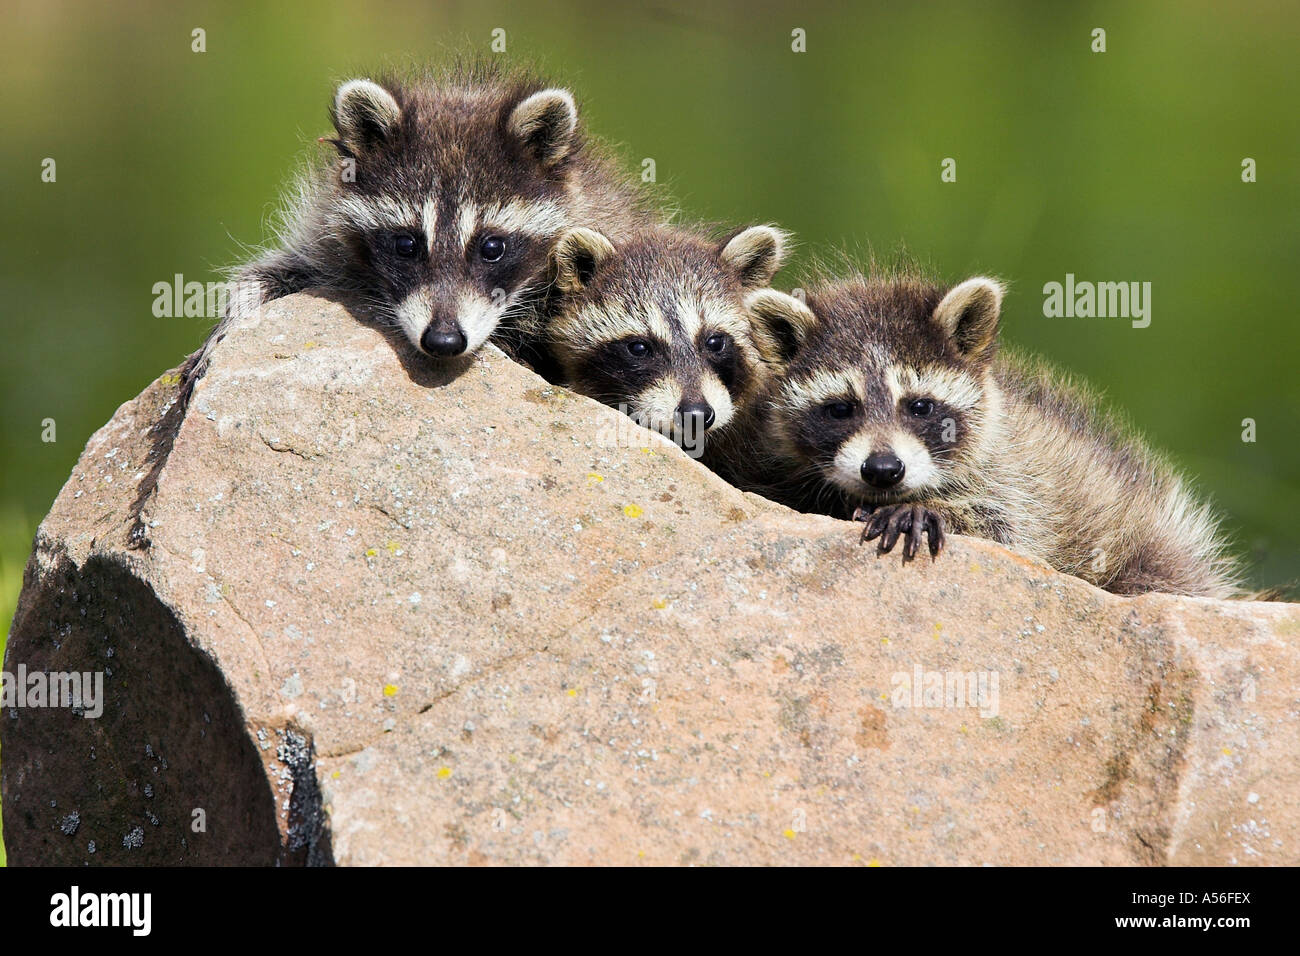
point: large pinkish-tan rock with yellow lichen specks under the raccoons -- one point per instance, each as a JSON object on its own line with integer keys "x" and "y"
{"x": 389, "y": 616}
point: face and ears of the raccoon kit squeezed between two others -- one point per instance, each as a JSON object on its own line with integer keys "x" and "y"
{"x": 660, "y": 327}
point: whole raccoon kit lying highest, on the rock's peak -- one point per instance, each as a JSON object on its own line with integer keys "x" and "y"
{"x": 443, "y": 206}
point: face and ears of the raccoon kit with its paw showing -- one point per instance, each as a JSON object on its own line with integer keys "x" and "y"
{"x": 889, "y": 397}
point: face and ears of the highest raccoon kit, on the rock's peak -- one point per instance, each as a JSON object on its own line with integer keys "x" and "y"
{"x": 450, "y": 201}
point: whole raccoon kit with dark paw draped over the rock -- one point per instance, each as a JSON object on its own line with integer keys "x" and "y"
{"x": 898, "y": 409}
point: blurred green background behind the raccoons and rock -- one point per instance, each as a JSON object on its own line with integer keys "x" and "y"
{"x": 1120, "y": 167}
